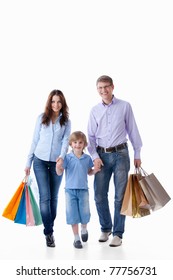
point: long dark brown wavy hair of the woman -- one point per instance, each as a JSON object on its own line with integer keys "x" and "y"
{"x": 47, "y": 115}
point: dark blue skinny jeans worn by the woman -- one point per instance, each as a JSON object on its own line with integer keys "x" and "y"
{"x": 48, "y": 184}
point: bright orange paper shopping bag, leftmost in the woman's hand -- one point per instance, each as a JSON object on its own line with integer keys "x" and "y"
{"x": 12, "y": 207}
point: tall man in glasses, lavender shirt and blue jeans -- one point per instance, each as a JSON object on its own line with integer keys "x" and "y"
{"x": 110, "y": 123}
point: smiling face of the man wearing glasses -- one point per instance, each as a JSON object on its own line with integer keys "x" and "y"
{"x": 105, "y": 89}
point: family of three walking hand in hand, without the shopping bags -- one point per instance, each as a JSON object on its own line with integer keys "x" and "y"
{"x": 110, "y": 123}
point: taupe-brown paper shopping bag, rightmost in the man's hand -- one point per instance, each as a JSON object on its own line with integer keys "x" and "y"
{"x": 154, "y": 191}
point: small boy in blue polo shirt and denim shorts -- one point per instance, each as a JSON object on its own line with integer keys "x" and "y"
{"x": 77, "y": 166}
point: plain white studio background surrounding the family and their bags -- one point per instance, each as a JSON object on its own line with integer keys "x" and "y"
{"x": 67, "y": 45}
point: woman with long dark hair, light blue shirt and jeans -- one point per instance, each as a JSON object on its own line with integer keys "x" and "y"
{"x": 49, "y": 145}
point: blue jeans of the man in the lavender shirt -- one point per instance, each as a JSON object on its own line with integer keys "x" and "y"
{"x": 118, "y": 164}
